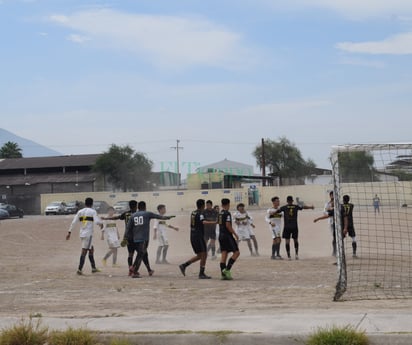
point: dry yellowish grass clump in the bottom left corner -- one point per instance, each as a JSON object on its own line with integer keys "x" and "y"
{"x": 25, "y": 333}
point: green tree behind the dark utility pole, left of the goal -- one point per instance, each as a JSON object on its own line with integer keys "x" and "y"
{"x": 283, "y": 159}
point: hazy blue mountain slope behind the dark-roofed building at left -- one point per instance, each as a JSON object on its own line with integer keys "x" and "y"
{"x": 29, "y": 148}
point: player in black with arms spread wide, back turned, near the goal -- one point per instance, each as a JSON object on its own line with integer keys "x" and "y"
{"x": 290, "y": 226}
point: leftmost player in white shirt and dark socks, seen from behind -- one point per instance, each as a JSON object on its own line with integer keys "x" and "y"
{"x": 87, "y": 217}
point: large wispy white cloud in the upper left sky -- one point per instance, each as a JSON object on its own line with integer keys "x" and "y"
{"x": 163, "y": 40}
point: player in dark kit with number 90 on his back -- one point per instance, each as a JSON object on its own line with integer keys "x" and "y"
{"x": 138, "y": 228}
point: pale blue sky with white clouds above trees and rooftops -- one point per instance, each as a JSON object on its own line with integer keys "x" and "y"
{"x": 219, "y": 75}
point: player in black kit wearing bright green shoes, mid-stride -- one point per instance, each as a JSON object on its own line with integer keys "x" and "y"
{"x": 228, "y": 240}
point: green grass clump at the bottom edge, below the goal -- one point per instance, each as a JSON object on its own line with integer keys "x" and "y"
{"x": 347, "y": 335}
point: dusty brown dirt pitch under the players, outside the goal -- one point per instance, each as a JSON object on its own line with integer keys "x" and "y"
{"x": 38, "y": 275}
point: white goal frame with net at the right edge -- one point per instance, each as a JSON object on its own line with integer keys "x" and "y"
{"x": 374, "y": 257}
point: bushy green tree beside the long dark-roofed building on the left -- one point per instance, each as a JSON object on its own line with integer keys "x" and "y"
{"x": 124, "y": 168}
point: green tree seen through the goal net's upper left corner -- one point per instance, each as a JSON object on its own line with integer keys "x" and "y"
{"x": 357, "y": 166}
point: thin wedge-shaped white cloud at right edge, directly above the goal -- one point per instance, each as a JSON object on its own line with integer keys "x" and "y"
{"x": 400, "y": 44}
